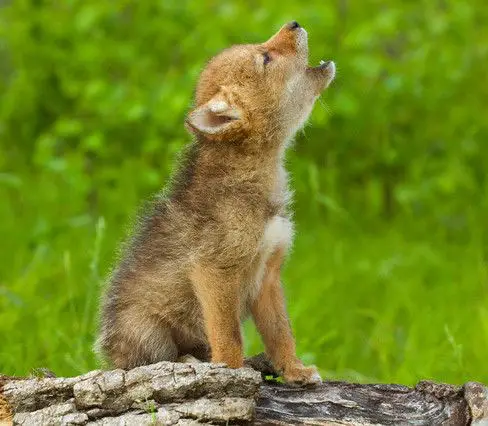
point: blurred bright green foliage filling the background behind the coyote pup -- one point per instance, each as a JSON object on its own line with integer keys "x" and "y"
{"x": 93, "y": 96}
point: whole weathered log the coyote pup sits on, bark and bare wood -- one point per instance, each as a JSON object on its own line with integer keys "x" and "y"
{"x": 185, "y": 394}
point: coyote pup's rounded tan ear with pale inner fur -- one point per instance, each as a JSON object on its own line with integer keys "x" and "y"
{"x": 215, "y": 117}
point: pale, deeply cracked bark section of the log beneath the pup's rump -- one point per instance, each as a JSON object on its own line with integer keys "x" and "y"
{"x": 168, "y": 392}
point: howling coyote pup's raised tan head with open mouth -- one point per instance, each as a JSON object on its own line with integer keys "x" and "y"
{"x": 259, "y": 90}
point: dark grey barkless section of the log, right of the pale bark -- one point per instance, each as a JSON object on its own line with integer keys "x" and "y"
{"x": 351, "y": 404}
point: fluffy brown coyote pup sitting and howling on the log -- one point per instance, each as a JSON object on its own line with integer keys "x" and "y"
{"x": 209, "y": 252}
